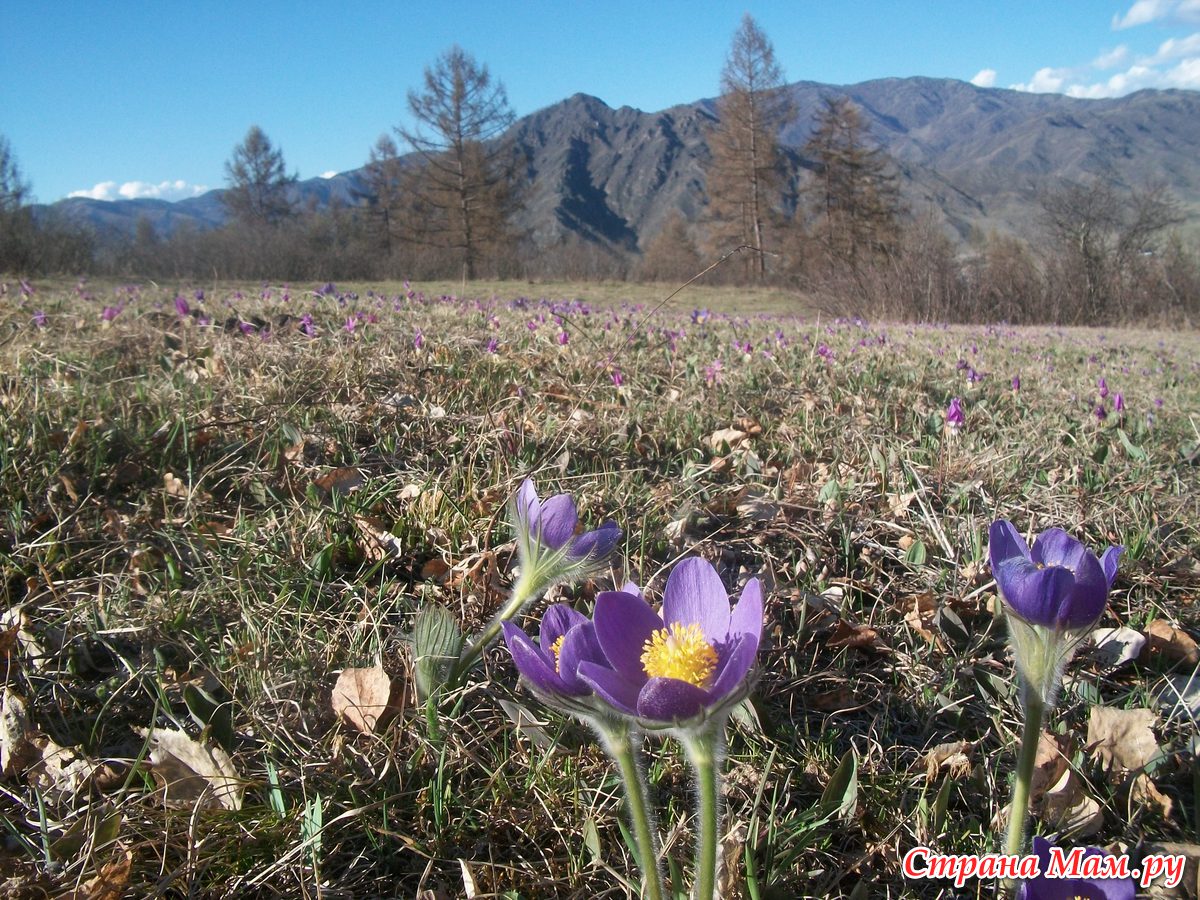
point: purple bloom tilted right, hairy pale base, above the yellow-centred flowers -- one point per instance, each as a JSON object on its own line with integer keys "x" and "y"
{"x": 549, "y": 541}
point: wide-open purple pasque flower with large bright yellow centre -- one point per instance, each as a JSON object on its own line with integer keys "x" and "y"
{"x": 692, "y": 662}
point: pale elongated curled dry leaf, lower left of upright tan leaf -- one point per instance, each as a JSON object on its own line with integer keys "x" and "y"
{"x": 191, "y": 773}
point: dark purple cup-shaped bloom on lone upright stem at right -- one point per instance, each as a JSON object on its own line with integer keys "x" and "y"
{"x": 1059, "y": 584}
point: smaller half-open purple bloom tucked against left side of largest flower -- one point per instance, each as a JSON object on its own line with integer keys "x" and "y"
{"x": 566, "y": 639}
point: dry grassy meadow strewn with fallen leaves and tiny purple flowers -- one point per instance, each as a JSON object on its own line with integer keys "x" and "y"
{"x": 217, "y": 500}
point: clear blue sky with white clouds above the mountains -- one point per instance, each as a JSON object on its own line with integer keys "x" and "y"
{"x": 149, "y": 99}
